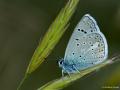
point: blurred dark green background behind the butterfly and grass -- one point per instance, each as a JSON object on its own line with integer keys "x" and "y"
{"x": 23, "y": 24}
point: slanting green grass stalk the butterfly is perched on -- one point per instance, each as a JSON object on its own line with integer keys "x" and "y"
{"x": 59, "y": 84}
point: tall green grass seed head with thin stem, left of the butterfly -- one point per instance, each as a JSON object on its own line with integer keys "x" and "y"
{"x": 51, "y": 38}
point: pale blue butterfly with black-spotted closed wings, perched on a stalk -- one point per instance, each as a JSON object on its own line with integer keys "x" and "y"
{"x": 86, "y": 48}
